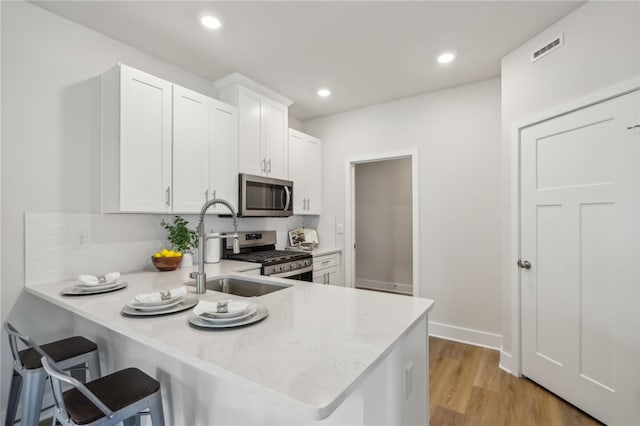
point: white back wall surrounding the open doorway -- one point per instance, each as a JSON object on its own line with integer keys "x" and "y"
{"x": 457, "y": 134}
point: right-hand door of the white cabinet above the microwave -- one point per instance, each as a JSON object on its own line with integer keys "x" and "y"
{"x": 276, "y": 151}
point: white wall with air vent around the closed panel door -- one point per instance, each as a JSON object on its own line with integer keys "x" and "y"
{"x": 602, "y": 48}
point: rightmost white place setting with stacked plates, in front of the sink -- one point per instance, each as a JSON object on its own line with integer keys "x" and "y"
{"x": 227, "y": 313}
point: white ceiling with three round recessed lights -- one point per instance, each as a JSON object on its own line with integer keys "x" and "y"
{"x": 365, "y": 52}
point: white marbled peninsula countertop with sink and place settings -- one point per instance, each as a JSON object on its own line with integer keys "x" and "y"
{"x": 317, "y": 344}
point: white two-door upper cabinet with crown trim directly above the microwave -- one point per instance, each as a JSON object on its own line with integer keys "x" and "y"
{"x": 262, "y": 132}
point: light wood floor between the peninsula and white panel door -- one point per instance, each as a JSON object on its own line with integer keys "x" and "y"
{"x": 467, "y": 388}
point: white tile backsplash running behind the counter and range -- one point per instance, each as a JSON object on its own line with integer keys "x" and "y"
{"x": 125, "y": 242}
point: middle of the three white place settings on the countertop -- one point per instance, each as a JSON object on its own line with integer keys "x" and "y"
{"x": 160, "y": 303}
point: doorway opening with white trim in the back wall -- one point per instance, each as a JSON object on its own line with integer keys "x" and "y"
{"x": 382, "y": 223}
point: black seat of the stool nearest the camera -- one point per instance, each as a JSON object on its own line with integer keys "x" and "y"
{"x": 116, "y": 391}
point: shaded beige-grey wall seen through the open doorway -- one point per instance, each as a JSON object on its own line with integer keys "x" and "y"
{"x": 383, "y": 213}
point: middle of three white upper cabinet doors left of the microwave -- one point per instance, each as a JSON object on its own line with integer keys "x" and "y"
{"x": 190, "y": 150}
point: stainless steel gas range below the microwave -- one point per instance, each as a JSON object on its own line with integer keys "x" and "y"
{"x": 260, "y": 247}
